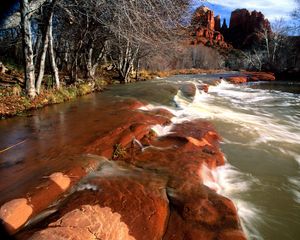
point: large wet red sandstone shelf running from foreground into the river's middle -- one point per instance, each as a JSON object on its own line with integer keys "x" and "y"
{"x": 152, "y": 188}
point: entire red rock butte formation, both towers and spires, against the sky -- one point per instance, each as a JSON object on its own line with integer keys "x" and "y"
{"x": 245, "y": 28}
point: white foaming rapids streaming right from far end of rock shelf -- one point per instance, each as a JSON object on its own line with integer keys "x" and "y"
{"x": 263, "y": 123}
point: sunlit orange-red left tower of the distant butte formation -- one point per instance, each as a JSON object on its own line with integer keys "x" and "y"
{"x": 206, "y": 28}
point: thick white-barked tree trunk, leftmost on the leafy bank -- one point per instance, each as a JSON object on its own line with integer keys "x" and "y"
{"x": 27, "y": 49}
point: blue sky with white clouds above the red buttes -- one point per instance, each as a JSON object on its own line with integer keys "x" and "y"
{"x": 272, "y": 9}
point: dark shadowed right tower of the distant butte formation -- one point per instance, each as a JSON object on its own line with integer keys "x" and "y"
{"x": 245, "y": 28}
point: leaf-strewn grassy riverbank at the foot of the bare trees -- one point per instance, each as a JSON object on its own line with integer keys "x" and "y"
{"x": 14, "y": 102}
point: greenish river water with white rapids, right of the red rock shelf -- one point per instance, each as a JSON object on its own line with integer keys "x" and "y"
{"x": 260, "y": 126}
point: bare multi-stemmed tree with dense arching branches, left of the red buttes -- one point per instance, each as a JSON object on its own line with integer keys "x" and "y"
{"x": 137, "y": 24}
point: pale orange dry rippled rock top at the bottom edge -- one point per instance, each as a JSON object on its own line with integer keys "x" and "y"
{"x": 87, "y": 223}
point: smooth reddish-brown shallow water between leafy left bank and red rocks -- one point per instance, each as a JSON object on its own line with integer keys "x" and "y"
{"x": 51, "y": 139}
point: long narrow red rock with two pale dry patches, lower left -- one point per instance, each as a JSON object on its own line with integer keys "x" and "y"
{"x": 17, "y": 212}
